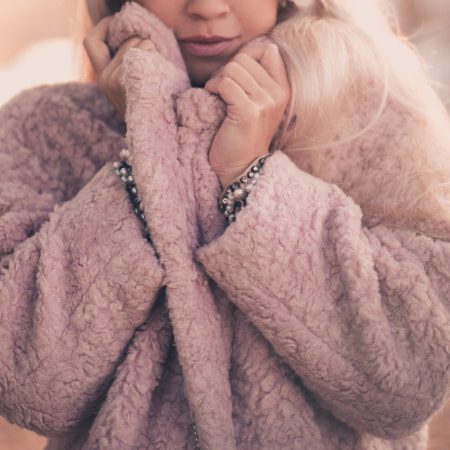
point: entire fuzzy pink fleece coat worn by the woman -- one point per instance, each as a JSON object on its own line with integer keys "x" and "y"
{"x": 295, "y": 327}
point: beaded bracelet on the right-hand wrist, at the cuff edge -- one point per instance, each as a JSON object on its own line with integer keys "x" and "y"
{"x": 234, "y": 196}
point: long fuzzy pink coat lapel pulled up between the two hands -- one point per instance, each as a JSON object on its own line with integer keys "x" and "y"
{"x": 175, "y": 183}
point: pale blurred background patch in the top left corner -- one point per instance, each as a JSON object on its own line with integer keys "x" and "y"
{"x": 36, "y": 44}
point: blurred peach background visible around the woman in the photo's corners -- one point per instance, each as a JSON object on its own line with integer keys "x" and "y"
{"x": 37, "y": 46}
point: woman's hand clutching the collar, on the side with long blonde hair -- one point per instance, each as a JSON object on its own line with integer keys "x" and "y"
{"x": 255, "y": 86}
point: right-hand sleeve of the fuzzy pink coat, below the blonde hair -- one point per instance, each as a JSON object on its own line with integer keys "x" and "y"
{"x": 361, "y": 315}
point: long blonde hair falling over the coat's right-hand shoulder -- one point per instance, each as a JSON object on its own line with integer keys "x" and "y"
{"x": 348, "y": 68}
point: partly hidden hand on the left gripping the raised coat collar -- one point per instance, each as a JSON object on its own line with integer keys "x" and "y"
{"x": 107, "y": 69}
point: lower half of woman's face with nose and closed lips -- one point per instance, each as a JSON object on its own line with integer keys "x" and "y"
{"x": 241, "y": 20}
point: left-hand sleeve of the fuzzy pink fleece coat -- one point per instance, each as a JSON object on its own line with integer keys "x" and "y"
{"x": 77, "y": 276}
